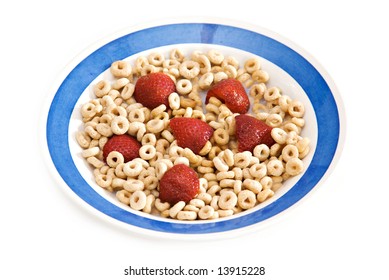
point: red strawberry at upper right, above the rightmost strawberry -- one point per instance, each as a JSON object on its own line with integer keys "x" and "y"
{"x": 232, "y": 93}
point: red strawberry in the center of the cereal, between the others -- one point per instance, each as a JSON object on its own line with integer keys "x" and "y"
{"x": 191, "y": 133}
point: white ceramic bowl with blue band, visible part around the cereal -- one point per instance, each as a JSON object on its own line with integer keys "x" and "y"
{"x": 291, "y": 68}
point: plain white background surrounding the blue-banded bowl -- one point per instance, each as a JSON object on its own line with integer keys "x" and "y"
{"x": 339, "y": 232}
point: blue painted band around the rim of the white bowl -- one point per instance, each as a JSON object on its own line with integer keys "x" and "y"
{"x": 297, "y": 66}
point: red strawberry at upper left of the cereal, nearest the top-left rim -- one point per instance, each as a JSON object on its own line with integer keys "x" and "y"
{"x": 154, "y": 89}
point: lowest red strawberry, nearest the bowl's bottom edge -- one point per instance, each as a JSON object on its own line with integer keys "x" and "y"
{"x": 179, "y": 183}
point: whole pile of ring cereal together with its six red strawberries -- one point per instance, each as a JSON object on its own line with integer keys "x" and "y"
{"x": 153, "y": 141}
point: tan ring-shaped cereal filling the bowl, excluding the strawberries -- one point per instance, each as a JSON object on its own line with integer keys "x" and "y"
{"x": 231, "y": 181}
